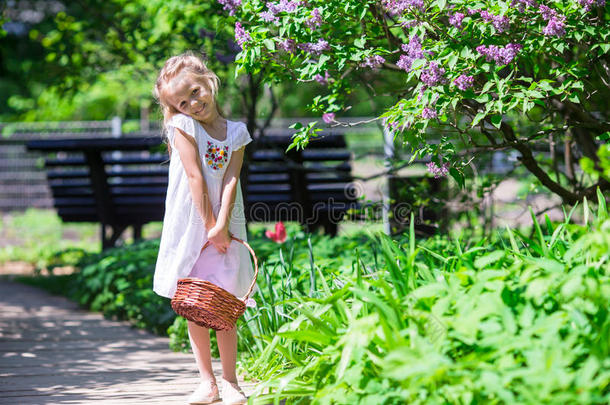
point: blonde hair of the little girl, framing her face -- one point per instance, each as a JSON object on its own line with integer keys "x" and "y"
{"x": 196, "y": 67}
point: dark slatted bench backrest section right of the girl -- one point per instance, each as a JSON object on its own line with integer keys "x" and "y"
{"x": 294, "y": 185}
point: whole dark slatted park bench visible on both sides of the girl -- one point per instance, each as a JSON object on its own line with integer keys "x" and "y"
{"x": 121, "y": 182}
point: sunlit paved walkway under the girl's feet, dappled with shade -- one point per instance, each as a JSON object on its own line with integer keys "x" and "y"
{"x": 52, "y": 352}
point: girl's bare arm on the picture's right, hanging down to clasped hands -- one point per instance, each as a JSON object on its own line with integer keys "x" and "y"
{"x": 219, "y": 235}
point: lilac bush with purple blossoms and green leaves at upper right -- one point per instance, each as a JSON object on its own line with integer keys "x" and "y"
{"x": 465, "y": 77}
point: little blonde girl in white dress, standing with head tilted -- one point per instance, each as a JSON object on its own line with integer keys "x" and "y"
{"x": 203, "y": 203}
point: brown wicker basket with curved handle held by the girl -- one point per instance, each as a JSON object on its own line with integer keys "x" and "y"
{"x": 208, "y": 305}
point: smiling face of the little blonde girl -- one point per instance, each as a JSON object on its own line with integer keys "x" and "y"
{"x": 192, "y": 97}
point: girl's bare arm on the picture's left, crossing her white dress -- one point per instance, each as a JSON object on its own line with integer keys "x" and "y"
{"x": 189, "y": 155}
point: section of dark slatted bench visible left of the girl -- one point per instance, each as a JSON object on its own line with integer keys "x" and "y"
{"x": 118, "y": 182}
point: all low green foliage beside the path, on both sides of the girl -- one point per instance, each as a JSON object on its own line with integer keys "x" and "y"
{"x": 518, "y": 317}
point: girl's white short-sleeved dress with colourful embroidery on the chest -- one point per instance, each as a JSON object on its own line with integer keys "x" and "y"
{"x": 184, "y": 233}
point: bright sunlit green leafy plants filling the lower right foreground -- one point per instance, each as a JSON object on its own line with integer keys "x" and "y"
{"x": 514, "y": 320}
